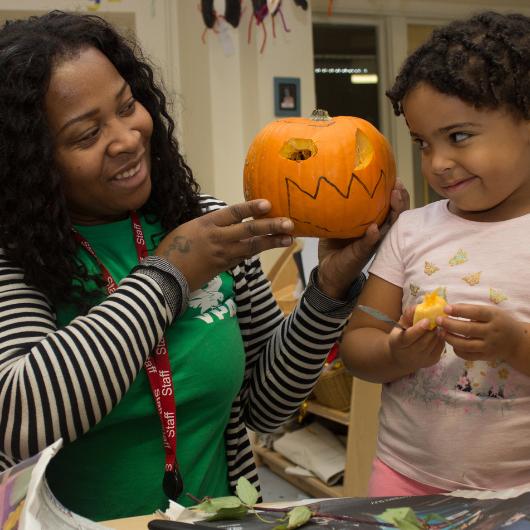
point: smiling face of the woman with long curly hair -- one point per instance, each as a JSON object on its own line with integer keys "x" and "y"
{"x": 102, "y": 139}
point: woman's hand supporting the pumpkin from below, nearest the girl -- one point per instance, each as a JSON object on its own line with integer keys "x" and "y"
{"x": 341, "y": 261}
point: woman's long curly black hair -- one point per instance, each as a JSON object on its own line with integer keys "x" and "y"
{"x": 35, "y": 227}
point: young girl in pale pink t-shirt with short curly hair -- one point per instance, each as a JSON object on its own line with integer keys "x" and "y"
{"x": 455, "y": 409}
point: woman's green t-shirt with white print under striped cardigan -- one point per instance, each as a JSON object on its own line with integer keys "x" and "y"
{"x": 116, "y": 468}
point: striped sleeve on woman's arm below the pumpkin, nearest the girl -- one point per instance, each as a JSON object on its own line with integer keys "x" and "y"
{"x": 284, "y": 355}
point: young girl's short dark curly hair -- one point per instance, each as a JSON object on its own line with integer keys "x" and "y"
{"x": 485, "y": 61}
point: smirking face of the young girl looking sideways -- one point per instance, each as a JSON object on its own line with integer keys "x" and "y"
{"x": 478, "y": 159}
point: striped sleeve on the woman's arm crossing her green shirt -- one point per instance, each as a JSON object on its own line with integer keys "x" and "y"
{"x": 60, "y": 382}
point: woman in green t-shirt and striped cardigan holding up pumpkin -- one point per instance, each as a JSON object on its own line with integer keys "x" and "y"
{"x": 104, "y": 237}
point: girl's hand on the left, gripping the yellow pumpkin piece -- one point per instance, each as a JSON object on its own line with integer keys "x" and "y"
{"x": 416, "y": 347}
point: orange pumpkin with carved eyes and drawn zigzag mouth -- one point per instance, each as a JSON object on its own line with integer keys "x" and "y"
{"x": 331, "y": 176}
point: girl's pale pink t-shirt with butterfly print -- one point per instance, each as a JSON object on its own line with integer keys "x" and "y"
{"x": 458, "y": 423}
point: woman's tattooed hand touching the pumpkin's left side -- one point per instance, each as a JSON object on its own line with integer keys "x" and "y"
{"x": 219, "y": 240}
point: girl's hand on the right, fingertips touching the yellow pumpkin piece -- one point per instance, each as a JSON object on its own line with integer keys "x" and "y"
{"x": 486, "y": 333}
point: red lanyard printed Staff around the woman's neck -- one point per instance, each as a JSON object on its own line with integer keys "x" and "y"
{"x": 158, "y": 371}
